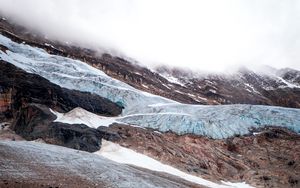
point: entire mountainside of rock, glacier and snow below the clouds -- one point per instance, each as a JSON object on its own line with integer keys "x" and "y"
{"x": 166, "y": 125}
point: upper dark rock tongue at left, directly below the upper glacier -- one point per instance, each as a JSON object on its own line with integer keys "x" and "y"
{"x": 17, "y": 88}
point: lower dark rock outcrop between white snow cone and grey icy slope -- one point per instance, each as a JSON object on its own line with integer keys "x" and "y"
{"x": 36, "y": 122}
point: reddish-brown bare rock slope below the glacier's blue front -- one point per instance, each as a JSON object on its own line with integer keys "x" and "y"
{"x": 268, "y": 159}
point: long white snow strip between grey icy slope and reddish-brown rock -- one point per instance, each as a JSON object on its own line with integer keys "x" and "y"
{"x": 124, "y": 155}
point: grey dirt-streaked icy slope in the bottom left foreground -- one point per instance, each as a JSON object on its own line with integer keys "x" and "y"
{"x": 37, "y": 165}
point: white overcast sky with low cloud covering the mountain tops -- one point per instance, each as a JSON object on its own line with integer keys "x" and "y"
{"x": 199, "y": 34}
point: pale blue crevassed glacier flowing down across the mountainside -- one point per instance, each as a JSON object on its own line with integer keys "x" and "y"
{"x": 144, "y": 109}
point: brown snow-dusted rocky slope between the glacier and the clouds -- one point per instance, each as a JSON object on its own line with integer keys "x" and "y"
{"x": 245, "y": 86}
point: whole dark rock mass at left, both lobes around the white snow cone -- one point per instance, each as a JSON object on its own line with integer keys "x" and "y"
{"x": 26, "y": 98}
